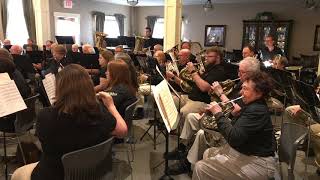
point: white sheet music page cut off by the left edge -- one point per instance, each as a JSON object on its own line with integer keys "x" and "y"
{"x": 10, "y": 98}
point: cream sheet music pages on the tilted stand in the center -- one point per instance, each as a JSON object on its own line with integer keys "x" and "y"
{"x": 165, "y": 103}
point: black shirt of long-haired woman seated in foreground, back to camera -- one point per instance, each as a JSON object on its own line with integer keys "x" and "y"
{"x": 63, "y": 133}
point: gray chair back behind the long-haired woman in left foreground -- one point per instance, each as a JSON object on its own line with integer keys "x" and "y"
{"x": 92, "y": 163}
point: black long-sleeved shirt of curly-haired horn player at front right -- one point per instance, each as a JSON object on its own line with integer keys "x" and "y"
{"x": 251, "y": 133}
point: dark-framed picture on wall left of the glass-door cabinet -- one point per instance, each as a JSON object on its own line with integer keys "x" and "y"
{"x": 215, "y": 35}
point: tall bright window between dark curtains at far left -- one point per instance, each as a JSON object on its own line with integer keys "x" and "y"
{"x": 17, "y": 31}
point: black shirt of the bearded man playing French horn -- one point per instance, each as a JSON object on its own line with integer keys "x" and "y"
{"x": 212, "y": 73}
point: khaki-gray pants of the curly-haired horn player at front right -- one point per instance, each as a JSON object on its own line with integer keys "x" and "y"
{"x": 226, "y": 163}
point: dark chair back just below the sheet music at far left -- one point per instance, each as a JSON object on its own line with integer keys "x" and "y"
{"x": 25, "y": 118}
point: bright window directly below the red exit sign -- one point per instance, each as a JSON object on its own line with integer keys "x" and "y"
{"x": 67, "y": 24}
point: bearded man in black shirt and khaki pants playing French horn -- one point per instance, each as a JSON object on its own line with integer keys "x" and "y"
{"x": 198, "y": 98}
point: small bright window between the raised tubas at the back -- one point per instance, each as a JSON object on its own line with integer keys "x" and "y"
{"x": 111, "y": 27}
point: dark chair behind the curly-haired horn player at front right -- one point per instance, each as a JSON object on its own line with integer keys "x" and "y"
{"x": 292, "y": 135}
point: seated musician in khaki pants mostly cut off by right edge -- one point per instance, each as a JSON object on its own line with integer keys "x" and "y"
{"x": 295, "y": 114}
